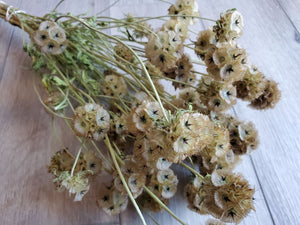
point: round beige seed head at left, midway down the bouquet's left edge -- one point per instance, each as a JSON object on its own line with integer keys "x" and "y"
{"x": 91, "y": 121}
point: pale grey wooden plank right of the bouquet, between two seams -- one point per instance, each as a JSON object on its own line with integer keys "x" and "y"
{"x": 269, "y": 40}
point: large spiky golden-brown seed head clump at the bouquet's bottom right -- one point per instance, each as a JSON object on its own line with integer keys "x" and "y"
{"x": 230, "y": 201}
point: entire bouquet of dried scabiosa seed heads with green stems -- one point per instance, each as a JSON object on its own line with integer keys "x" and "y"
{"x": 108, "y": 89}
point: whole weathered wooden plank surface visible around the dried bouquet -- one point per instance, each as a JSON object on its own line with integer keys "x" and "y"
{"x": 271, "y": 37}
